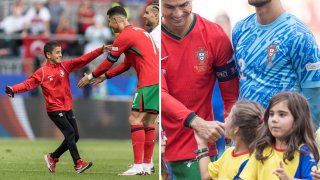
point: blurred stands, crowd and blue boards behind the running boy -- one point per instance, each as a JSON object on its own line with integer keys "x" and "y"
{"x": 80, "y": 26}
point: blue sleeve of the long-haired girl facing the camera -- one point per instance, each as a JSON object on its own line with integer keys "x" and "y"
{"x": 307, "y": 164}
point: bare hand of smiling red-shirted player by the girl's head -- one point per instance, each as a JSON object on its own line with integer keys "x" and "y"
{"x": 210, "y": 131}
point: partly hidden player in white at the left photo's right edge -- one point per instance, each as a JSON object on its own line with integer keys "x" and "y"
{"x": 151, "y": 16}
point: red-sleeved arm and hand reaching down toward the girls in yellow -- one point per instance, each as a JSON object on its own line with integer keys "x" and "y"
{"x": 171, "y": 107}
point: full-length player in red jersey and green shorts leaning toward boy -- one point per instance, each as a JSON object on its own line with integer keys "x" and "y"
{"x": 141, "y": 53}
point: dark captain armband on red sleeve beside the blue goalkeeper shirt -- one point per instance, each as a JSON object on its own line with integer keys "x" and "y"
{"x": 226, "y": 72}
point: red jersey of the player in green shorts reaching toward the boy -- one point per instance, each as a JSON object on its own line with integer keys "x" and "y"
{"x": 141, "y": 53}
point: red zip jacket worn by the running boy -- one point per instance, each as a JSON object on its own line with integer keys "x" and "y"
{"x": 54, "y": 81}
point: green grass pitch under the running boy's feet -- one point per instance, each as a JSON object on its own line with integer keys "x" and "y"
{"x": 23, "y": 159}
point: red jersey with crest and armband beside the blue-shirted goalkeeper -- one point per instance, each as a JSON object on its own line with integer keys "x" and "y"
{"x": 190, "y": 67}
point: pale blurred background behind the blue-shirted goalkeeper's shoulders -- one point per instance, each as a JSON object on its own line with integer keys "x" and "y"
{"x": 228, "y": 12}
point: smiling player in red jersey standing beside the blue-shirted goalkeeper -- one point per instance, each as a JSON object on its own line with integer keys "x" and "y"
{"x": 194, "y": 54}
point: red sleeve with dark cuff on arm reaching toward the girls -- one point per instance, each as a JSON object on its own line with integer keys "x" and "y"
{"x": 173, "y": 108}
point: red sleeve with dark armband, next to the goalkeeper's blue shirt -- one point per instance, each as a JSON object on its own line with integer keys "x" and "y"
{"x": 226, "y": 72}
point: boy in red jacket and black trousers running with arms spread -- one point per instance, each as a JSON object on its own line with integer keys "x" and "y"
{"x": 53, "y": 77}
